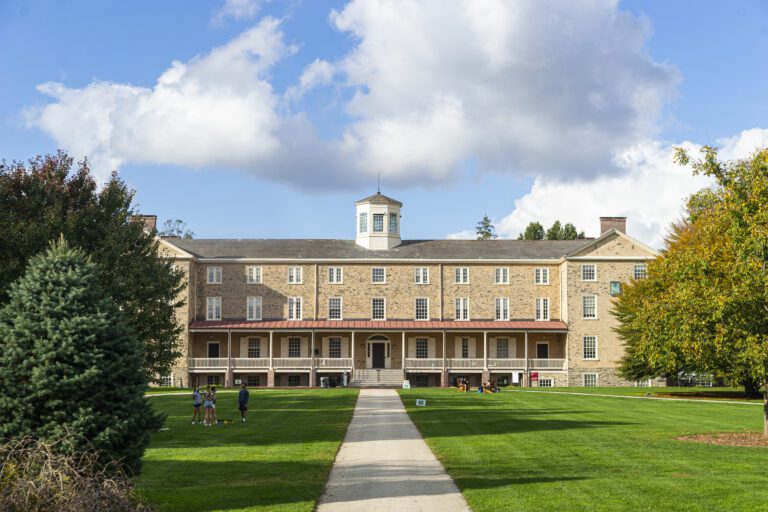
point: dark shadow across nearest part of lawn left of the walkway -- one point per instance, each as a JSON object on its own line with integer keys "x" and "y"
{"x": 174, "y": 485}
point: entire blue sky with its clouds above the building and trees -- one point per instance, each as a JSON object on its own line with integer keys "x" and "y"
{"x": 521, "y": 110}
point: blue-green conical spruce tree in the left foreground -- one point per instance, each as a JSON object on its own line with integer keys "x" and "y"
{"x": 70, "y": 363}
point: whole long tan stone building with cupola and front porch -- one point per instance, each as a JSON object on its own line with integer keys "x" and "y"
{"x": 377, "y": 309}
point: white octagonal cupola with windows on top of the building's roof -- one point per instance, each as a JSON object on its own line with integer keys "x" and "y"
{"x": 378, "y": 222}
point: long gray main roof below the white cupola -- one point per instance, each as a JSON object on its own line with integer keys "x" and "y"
{"x": 408, "y": 249}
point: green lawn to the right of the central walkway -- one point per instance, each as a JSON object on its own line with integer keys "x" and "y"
{"x": 539, "y": 451}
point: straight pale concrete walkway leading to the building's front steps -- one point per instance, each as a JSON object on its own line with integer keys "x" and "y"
{"x": 385, "y": 465}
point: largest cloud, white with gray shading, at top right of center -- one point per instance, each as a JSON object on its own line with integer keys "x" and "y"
{"x": 530, "y": 86}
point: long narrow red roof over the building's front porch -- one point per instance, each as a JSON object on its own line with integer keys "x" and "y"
{"x": 399, "y": 325}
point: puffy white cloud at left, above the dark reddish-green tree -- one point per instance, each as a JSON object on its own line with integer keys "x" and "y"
{"x": 217, "y": 109}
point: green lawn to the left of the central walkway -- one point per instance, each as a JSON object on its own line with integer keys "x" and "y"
{"x": 278, "y": 460}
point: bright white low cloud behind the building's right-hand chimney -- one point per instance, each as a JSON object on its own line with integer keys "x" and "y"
{"x": 650, "y": 191}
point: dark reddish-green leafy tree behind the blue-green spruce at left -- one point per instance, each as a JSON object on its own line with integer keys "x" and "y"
{"x": 47, "y": 198}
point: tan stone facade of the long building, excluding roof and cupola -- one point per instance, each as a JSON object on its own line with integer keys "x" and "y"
{"x": 556, "y": 355}
